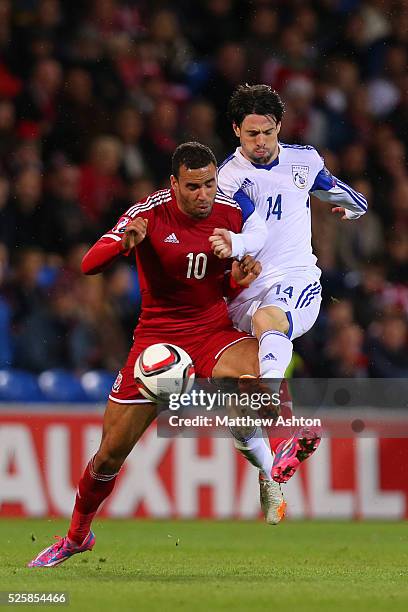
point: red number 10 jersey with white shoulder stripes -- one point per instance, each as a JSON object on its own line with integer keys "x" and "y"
{"x": 181, "y": 279}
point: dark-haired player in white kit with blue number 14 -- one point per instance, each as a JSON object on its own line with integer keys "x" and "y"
{"x": 284, "y": 302}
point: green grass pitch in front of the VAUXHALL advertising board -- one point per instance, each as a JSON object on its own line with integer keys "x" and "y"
{"x": 207, "y": 565}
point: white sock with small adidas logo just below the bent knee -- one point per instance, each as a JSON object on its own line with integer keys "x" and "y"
{"x": 275, "y": 353}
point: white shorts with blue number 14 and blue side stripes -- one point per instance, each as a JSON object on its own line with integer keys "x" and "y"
{"x": 298, "y": 294}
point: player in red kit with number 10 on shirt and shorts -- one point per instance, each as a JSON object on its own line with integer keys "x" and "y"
{"x": 182, "y": 286}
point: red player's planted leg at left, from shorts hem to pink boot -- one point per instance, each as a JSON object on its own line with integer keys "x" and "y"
{"x": 123, "y": 426}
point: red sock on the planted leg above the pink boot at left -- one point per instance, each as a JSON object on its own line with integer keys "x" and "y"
{"x": 92, "y": 490}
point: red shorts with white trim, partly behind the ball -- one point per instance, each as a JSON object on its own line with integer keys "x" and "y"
{"x": 203, "y": 350}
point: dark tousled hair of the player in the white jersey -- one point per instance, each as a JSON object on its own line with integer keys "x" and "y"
{"x": 255, "y": 100}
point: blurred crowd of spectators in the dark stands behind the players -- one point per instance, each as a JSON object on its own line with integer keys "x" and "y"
{"x": 95, "y": 96}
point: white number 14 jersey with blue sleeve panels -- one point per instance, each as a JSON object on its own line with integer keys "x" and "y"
{"x": 280, "y": 192}
